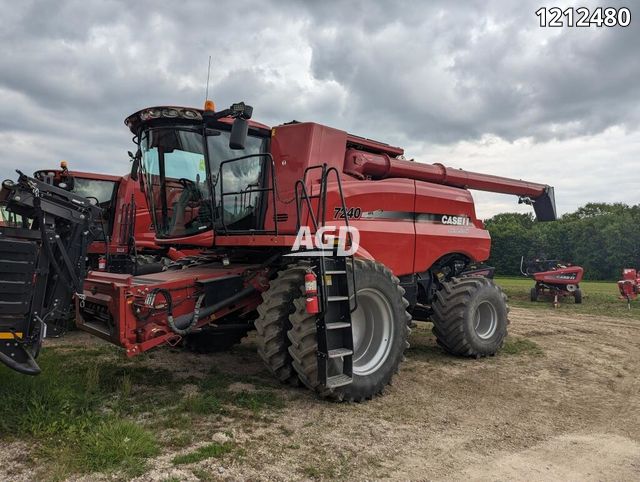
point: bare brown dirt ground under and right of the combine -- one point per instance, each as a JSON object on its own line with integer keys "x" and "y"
{"x": 564, "y": 403}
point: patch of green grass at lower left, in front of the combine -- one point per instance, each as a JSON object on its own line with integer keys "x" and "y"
{"x": 92, "y": 410}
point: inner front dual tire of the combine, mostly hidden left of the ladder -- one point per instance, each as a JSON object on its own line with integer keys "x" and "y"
{"x": 273, "y": 323}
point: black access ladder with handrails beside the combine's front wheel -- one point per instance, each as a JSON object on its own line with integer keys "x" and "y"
{"x": 336, "y": 287}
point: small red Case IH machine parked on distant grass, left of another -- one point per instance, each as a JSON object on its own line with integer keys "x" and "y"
{"x": 554, "y": 278}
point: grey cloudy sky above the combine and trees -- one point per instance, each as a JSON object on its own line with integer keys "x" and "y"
{"x": 476, "y": 85}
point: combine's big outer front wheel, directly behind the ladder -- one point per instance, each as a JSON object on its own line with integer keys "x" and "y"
{"x": 380, "y": 330}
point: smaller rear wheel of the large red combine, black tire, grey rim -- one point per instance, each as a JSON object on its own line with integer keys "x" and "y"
{"x": 470, "y": 317}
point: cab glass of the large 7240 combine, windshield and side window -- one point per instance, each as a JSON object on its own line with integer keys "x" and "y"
{"x": 177, "y": 181}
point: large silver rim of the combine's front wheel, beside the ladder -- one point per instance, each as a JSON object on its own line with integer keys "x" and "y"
{"x": 372, "y": 325}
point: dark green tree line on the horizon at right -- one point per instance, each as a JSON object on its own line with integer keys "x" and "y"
{"x": 602, "y": 238}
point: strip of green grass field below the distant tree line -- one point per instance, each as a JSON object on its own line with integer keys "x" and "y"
{"x": 599, "y": 298}
